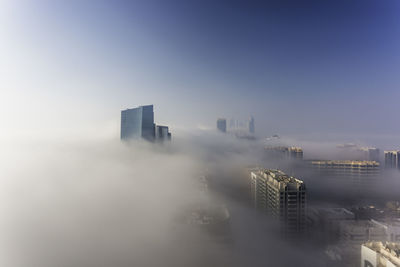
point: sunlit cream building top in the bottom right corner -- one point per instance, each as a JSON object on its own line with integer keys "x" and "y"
{"x": 379, "y": 254}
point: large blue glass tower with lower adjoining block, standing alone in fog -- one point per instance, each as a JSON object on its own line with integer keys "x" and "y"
{"x": 138, "y": 123}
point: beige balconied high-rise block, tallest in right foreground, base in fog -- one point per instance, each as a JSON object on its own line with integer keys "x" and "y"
{"x": 281, "y": 196}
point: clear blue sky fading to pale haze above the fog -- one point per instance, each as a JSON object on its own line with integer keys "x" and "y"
{"x": 299, "y": 67}
